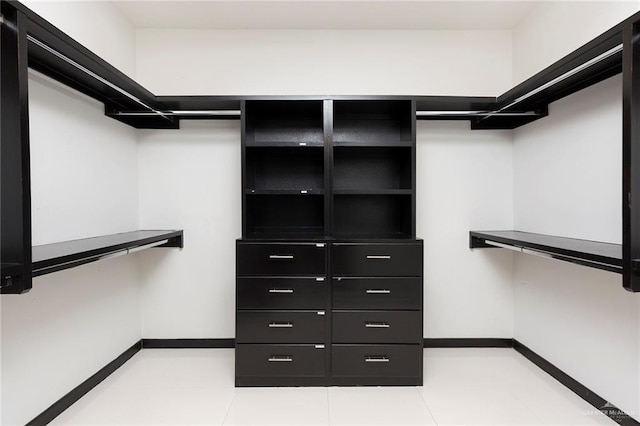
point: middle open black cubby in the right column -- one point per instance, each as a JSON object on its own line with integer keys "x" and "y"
{"x": 365, "y": 168}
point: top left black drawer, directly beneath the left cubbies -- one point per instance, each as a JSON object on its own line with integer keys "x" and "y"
{"x": 281, "y": 258}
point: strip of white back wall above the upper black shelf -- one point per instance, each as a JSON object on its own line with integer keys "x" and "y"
{"x": 308, "y": 62}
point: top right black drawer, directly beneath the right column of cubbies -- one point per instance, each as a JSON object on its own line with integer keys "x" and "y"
{"x": 373, "y": 259}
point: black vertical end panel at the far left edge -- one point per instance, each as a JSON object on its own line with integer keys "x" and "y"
{"x": 15, "y": 167}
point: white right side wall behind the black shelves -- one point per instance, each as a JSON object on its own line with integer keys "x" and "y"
{"x": 567, "y": 181}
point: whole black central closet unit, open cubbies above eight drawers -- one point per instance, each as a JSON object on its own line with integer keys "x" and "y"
{"x": 328, "y": 179}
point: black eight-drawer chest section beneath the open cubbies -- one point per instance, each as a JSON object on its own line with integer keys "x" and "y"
{"x": 328, "y": 313}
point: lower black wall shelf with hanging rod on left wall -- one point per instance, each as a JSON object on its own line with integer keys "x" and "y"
{"x": 54, "y": 257}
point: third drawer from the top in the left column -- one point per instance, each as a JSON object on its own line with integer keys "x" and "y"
{"x": 281, "y": 327}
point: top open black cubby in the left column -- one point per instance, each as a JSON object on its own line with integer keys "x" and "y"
{"x": 284, "y": 123}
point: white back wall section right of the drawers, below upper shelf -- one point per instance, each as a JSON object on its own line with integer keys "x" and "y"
{"x": 464, "y": 183}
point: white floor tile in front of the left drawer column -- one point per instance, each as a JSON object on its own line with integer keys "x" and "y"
{"x": 279, "y": 406}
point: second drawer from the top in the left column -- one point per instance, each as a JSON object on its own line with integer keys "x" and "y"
{"x": 281, "y": 293}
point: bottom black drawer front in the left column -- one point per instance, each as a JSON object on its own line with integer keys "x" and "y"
{"x": 279, "y": 360}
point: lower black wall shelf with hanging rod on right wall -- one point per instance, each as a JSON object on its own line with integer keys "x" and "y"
{"x": 606, "y": 256}
